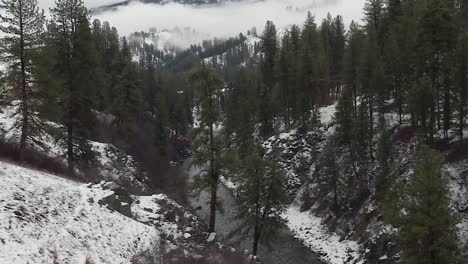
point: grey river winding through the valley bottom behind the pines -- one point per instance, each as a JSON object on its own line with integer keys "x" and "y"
{"x": 284, "y": 250}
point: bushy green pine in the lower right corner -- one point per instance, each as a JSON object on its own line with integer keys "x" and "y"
{"x": 428, "y": 232}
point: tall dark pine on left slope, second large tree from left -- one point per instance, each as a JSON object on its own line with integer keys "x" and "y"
{"x": 74, "y": 65}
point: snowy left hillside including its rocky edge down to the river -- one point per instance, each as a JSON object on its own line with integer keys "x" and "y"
{"x": 48, "y": 219}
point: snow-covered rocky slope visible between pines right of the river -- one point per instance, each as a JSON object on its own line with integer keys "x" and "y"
{"x": 312, "y": 221}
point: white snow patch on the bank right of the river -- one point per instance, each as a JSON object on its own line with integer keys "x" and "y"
{"x": 310, "y": 230}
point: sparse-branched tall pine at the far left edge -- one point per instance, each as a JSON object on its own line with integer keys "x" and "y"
{"x": 22, "y": 23}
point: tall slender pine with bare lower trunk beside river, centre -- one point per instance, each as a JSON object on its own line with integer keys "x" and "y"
{"x": 207, "y": 144}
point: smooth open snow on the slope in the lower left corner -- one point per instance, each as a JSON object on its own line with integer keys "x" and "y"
{"x": 47, "y": 219}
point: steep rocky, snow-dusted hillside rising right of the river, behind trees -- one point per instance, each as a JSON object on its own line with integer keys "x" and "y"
{"x": 359, "y": 229}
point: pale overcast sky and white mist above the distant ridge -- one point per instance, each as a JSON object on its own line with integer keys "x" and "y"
{"x": 226, "y": 20}
